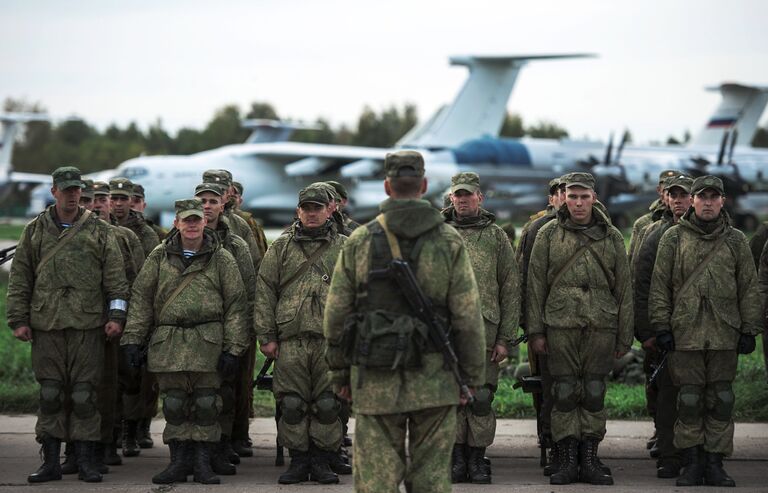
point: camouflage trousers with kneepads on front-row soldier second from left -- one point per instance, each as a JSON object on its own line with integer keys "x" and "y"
{"x": 191, "y": 405}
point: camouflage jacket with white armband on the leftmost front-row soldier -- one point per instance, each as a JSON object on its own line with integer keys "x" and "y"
{"x": 73, "y": 289}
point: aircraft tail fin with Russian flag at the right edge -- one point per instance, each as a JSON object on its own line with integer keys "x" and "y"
{"x": 740, "y": 109}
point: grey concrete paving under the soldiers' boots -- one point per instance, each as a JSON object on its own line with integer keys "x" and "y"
{"x": 514, "y": 455}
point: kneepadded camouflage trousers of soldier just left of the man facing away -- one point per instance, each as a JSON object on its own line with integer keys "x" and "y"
{"x": 301, "y": 379}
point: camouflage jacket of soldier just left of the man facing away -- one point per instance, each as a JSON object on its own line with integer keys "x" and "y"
{"x": 288, "y": 304}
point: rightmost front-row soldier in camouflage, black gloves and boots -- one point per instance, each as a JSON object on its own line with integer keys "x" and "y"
{"x": 705, "y": 308}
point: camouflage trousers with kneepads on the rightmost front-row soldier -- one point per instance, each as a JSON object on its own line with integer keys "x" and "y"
{"x": 705, "y": 400}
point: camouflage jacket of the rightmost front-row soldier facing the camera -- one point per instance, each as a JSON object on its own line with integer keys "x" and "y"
{"x": 724, "y": 300}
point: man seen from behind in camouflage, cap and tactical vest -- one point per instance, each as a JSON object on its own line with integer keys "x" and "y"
{"x": 420, "y": 396}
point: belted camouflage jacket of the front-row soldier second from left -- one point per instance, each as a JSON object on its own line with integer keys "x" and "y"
{"x": 205, "y": 318}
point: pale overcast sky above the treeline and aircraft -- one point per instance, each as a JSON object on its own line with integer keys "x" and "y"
{"x": 139, "y": 60}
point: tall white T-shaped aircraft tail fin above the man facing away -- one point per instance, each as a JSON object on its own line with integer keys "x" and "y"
{"x": 480, "y": 106}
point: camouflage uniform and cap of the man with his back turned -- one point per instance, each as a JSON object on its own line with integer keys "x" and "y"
{"x": 419, "y": 401}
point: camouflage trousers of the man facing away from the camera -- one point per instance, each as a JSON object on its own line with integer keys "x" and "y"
{"x": 379, "y": 461}
